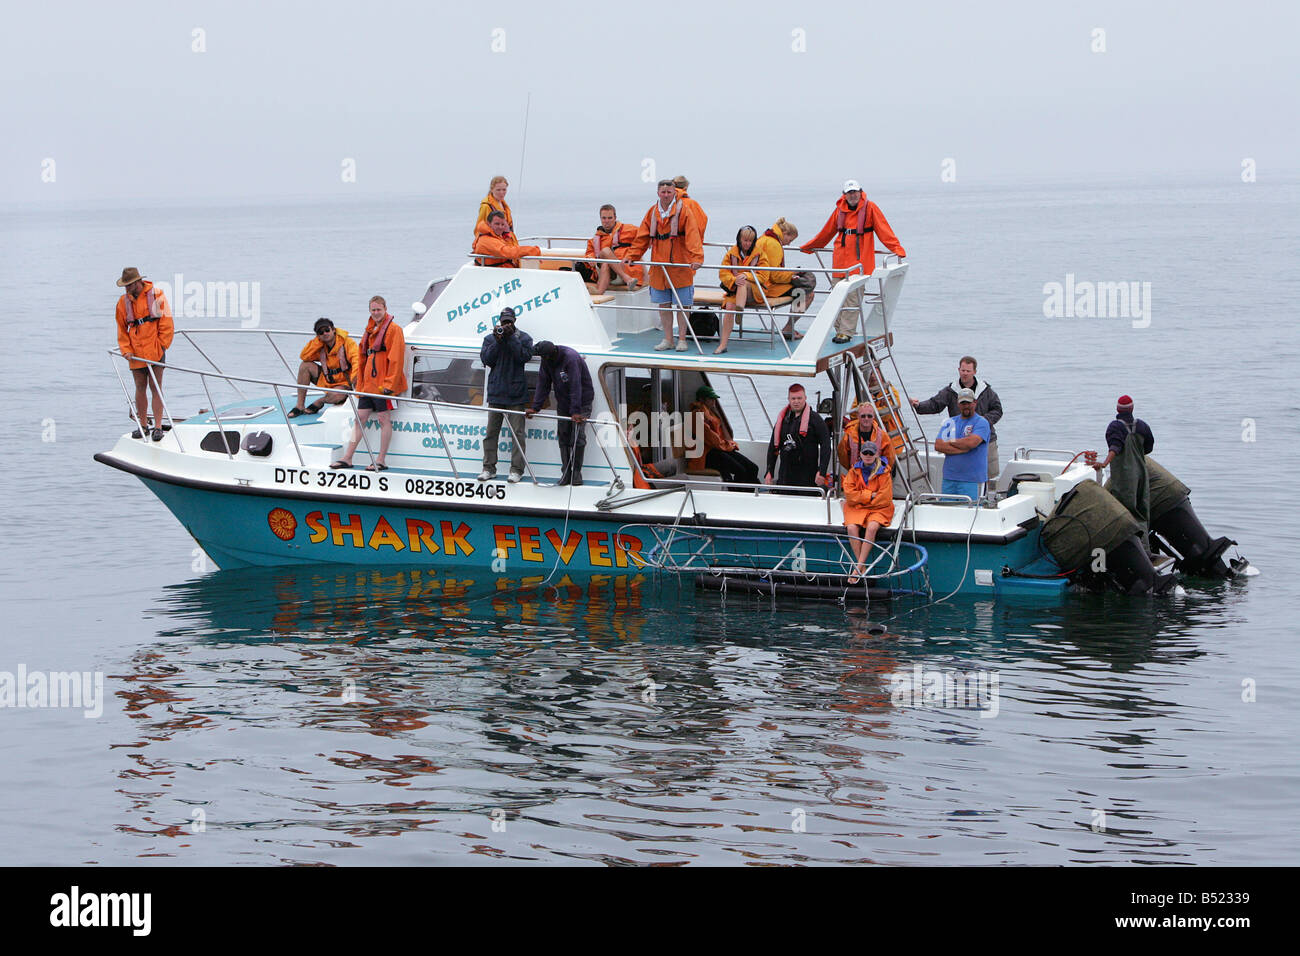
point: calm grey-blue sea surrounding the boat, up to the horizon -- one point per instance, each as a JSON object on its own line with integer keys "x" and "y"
{"x": 345, "y": 717}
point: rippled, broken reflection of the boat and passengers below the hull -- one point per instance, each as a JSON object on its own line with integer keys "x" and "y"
{"x": 619, "y": 719}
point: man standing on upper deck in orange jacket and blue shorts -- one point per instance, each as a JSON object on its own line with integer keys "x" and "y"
{"x": 673, "y": 235}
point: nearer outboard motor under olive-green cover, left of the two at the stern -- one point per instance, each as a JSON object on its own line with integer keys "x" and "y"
{"x": 1087, "y": 521}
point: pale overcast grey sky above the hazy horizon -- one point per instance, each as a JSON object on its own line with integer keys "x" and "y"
{"x": 751, "y": 93}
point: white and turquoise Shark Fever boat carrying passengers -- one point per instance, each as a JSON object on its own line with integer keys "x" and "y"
{"x": 255, "y": 488}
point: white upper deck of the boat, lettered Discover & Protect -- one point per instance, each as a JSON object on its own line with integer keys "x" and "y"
{"x": 553, "y": 302}
